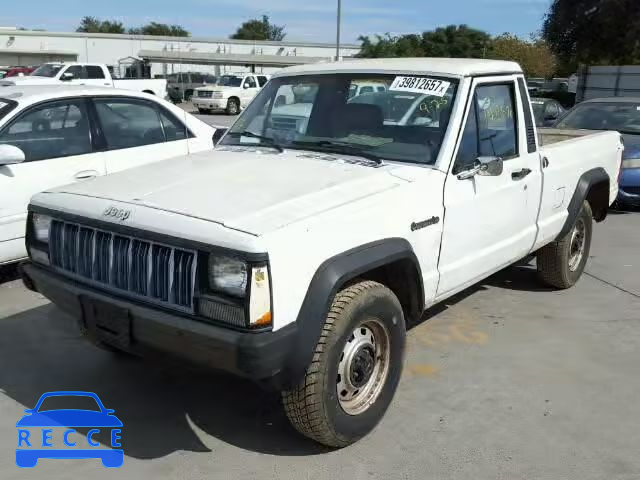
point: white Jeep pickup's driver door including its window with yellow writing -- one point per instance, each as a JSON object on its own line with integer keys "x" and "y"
{"x": 490, "y": 221}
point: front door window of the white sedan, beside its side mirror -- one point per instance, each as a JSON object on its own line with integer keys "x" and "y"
{"x": 52, "y": 130}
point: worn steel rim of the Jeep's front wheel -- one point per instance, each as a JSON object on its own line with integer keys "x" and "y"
{"x": 363, "y": 367}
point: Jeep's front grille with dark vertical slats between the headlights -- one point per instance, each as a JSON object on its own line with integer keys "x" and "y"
{"x": 132, "y": 266}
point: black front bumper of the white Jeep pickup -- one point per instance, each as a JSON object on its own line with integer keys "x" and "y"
{"x": 259, "y": 356}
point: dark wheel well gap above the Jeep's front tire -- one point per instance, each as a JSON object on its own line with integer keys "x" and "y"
{"x": 402, "y": 278}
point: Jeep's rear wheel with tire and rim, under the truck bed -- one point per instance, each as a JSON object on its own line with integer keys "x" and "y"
{"x": 560, "y": 264}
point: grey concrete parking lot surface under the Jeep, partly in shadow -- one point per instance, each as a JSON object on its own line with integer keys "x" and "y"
{"x": 506, "y": 381}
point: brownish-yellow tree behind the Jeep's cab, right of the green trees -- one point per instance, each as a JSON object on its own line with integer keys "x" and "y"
{"x": 534, "y": 56}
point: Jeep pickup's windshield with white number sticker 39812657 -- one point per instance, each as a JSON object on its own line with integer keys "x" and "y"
{"x": 405, "y": 120}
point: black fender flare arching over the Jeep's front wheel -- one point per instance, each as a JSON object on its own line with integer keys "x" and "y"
{"x": 327, "y": 280}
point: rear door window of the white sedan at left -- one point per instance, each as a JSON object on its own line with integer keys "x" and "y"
{"x": 128, "y": 123}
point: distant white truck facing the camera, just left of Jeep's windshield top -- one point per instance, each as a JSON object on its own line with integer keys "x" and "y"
{"x": 231, "y": 93}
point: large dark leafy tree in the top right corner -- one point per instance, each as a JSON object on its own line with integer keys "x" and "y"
{"x": 594, "y": 31}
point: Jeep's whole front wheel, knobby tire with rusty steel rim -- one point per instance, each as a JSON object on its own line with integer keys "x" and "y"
{"x": 355, "y": 369}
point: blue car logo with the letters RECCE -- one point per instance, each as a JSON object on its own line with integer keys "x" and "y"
{"x": 40, "y": 432}
